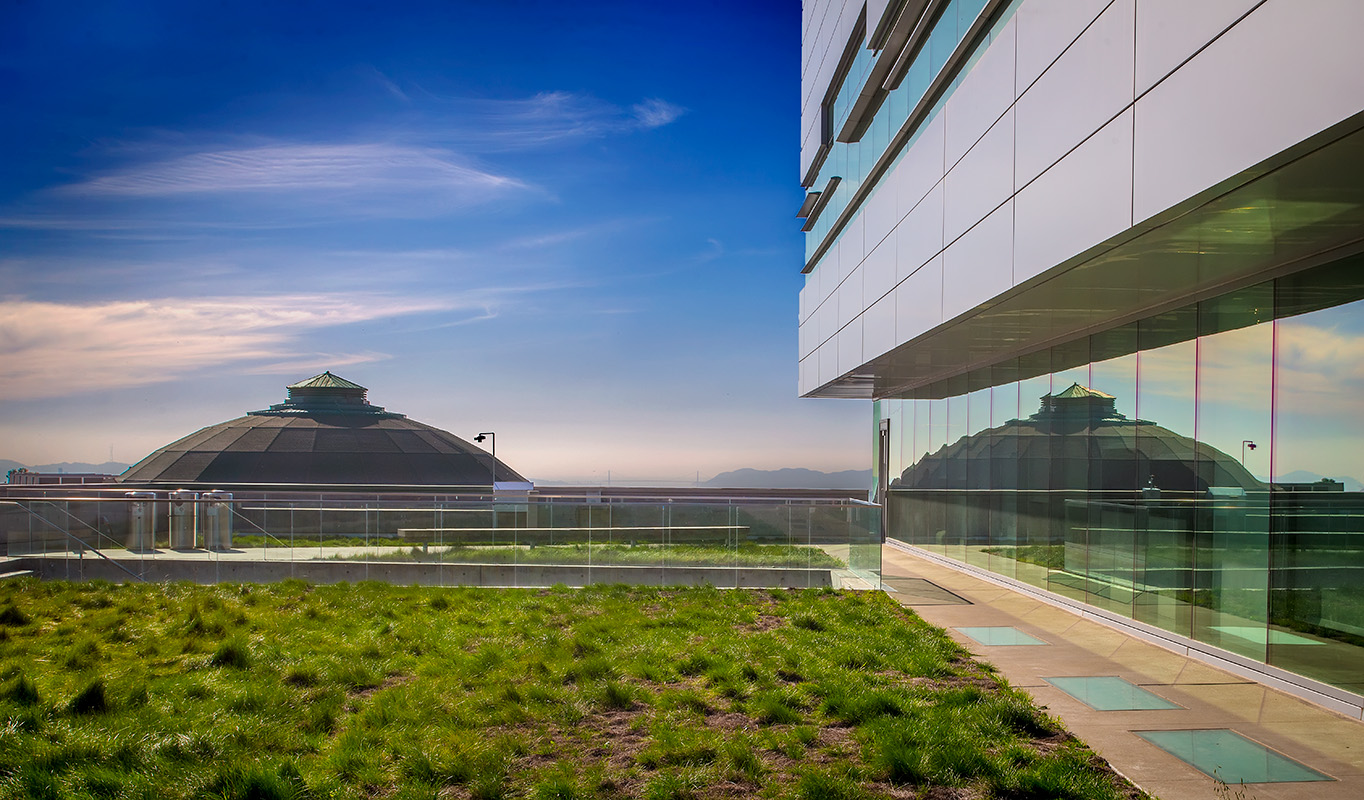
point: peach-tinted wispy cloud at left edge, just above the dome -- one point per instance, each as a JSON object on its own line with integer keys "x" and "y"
{"x": 54, "y": 350}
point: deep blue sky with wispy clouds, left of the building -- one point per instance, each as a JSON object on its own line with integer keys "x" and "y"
{"x": 568, "y": 224}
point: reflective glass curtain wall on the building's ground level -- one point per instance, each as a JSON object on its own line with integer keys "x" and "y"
{"x": 1198, "y": 471}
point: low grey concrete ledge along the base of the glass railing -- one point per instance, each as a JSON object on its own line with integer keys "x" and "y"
{"x": 425, "y": 574}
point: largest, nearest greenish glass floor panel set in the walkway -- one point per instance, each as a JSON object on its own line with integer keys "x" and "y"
{"x": 1231, "y": 757}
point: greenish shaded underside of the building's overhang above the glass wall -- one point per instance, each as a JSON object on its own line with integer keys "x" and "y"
{"x": 1296, "y": 211}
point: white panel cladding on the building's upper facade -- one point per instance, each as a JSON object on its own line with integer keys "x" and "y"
{"x": 1046, "y": 152}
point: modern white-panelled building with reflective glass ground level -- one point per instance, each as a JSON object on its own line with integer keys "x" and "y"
{"x": 1146, "y": 216}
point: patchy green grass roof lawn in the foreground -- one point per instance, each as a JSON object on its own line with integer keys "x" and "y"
{"x": 293, "y": 690}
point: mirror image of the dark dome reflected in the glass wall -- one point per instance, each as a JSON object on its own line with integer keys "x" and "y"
{"x": 1078, "y": 441}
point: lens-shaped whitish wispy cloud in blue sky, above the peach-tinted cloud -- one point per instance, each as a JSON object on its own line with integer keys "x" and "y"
{"x": 283, "y": 168}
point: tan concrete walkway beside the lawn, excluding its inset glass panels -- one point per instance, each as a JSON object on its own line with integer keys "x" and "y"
{"x": 1211, "y": 698}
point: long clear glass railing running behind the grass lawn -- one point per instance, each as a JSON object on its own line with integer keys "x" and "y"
{"x": 410, "y": 539}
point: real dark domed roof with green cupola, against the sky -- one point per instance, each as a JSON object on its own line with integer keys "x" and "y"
{"x": 325, "y": 433}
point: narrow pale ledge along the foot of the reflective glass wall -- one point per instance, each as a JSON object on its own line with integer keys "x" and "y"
{"x": 1329, "y": 697}
